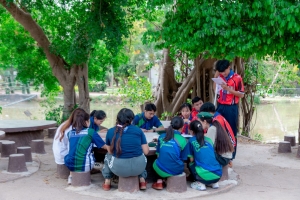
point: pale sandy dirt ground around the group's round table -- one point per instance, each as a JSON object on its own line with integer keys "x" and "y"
{"x": 262, "y": 172}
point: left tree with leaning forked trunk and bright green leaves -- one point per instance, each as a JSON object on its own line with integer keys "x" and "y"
{"x": 66, "y": 32}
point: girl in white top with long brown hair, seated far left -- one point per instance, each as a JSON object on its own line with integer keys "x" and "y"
{"x": 61, "y": 141}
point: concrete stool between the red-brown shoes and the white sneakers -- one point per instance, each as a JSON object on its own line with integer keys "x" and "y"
{"x": 177, "y": 183}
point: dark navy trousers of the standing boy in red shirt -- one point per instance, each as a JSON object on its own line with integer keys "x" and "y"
{"x": 231, "y": 114}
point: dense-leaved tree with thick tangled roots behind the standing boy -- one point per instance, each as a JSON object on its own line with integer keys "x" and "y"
{"x": 210, "y": 30}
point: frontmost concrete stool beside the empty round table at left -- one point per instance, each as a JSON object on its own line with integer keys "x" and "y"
{"x": 16, "y": 163}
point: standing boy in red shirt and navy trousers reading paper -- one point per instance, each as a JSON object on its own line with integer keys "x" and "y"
{"x": 230, "y": 94}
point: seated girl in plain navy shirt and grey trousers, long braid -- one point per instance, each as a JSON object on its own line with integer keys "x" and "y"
{"x": 126, "y": 146}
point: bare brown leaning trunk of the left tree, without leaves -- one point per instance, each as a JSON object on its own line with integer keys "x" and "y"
{"x": 67, "y": 75}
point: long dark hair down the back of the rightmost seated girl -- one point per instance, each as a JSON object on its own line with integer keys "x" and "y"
{"x": 222, "y": 143}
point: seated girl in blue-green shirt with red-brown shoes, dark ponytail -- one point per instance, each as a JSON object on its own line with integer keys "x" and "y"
{"x": 171, "y": 153}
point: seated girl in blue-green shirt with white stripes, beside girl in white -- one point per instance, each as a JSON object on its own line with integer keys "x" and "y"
{"x": 81, "y": 140}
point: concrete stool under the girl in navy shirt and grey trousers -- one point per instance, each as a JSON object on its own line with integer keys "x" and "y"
{"x": 129, "y": 184}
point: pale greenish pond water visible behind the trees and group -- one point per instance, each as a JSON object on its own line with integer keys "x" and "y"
{"x": 272, "y": 120}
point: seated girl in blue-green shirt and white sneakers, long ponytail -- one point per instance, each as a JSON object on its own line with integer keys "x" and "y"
{"x": 203, "y": 164}
